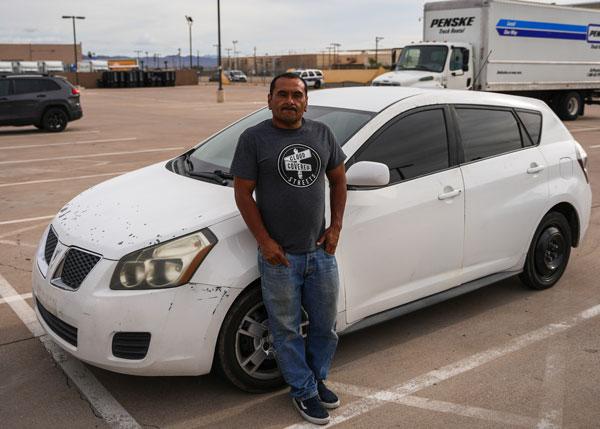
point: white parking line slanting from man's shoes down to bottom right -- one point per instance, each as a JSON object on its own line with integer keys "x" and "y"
{"x": 440, "y": 406}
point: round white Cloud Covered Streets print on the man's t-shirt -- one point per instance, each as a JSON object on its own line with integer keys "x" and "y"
{"x": 299, "y": 165}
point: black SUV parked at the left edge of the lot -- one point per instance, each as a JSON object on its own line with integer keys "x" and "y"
{"x": 48, "y": 102}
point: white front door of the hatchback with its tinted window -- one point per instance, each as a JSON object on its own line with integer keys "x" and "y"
{"x": 404, "y": 241}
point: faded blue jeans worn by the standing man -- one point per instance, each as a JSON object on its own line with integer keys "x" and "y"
{"x": 310, "y": 282}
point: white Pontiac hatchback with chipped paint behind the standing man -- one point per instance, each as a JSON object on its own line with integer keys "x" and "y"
{"x": 155, "y": 273}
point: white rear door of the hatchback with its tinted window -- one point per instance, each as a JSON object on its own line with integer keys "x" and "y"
{"x": 506, "y": 189}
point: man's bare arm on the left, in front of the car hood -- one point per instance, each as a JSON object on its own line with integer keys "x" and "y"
{"x": 271, "y": 250}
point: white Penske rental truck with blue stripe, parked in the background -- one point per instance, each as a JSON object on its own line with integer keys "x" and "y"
{"x": 537, "y": 50}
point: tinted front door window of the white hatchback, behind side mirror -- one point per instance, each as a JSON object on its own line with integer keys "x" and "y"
{"x": 413, "y": 146}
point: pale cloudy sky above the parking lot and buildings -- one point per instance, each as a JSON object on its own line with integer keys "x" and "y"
{"x": 120, "y": 27}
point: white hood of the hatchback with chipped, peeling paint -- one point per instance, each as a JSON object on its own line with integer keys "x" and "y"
{"x": 140, "y": 209}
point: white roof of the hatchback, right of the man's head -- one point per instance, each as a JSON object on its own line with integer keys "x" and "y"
{"x": 377, "y": 98}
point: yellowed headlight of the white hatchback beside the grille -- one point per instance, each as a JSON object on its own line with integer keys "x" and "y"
{"x": 165, "y": 265}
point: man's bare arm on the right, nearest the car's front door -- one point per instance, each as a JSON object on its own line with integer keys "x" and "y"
{"x": 337, "y": 199}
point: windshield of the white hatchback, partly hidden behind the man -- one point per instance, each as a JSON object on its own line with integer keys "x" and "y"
{"x": 217, "y": 152}
